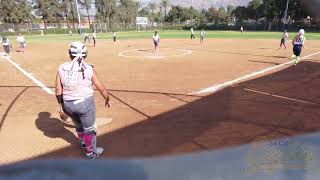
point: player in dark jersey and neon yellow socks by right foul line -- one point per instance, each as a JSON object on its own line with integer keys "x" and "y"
{"x": 298, "y": 44}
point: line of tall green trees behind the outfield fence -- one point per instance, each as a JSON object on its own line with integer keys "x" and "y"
{"x": 125, "y": 11}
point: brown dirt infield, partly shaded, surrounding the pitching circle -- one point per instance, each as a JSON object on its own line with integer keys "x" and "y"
{"x": 154, "y": 108}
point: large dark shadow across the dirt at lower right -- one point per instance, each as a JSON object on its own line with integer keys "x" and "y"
{"x": 278, "y": 105}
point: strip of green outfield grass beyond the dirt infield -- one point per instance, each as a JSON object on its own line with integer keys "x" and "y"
{"x": 169, "y": 34}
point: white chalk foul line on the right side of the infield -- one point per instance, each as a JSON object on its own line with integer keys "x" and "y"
{"x": 215, "y": 88}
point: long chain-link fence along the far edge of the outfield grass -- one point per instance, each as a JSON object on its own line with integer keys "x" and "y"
{"x": 64, "y": 28}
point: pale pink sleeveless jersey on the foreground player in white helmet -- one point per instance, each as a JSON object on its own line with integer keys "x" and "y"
{"x": 76, "y": 87}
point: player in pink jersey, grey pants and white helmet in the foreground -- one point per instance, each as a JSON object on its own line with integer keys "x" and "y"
{"x": 74, "y": 94}
